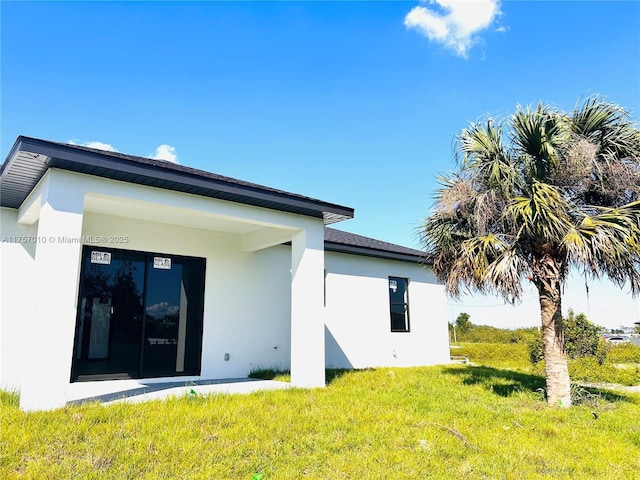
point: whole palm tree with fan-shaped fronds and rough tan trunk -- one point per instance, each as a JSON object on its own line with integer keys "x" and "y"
{"x": 535, "y": 196}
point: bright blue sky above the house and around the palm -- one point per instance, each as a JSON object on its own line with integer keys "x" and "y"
{"x": 356, "y": 103}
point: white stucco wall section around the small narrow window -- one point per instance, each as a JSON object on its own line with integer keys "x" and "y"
{"x": 358, "y": 331}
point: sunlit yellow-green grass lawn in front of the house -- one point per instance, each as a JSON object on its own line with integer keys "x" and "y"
{"x": 440, "y": 422}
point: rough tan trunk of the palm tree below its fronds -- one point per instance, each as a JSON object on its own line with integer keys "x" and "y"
{"x": 555, "y": 357}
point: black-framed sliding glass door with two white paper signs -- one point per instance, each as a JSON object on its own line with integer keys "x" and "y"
{"x": 139, "y": 315}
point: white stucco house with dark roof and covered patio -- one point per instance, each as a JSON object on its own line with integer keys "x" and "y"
{"x": 115, "y": 267}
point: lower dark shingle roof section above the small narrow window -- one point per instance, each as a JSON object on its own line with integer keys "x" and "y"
{"x": 345, "y": 242}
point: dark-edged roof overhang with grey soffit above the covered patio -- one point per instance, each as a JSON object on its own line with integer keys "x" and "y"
{"x": 30, "y": 158}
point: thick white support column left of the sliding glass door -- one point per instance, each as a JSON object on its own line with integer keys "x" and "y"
{"x": 55, "y": 293}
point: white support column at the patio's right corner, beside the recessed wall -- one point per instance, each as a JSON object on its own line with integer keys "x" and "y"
{"x": 307, "y": 307}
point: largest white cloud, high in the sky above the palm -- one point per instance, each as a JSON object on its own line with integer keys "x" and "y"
{"x": 453, "y": 23}
